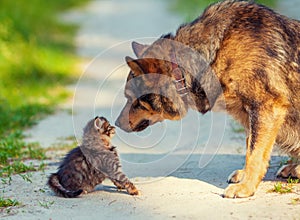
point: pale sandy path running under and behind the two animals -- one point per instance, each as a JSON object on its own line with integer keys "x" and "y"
{"x": 180, "y": 167}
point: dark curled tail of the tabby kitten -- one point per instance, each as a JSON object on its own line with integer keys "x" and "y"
{"x": 55, "y": 185}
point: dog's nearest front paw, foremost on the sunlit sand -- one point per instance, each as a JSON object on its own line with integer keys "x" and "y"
{"x": 238, "y": 190}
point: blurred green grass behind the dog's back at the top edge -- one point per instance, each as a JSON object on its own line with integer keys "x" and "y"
{"x": 193, "y": 8}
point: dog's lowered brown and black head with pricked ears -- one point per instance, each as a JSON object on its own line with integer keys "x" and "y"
{"x": 150, "y": 91}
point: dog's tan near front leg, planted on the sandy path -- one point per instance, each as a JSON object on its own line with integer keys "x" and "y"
{"x": 265, "y": 122}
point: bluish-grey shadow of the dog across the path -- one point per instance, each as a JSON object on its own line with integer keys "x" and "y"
{"x": 214, "y": 171}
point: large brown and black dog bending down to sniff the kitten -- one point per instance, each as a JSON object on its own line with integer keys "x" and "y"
{"x": 250, "y": 57}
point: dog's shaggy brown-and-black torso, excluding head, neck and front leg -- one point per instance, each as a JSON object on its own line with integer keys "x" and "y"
{"x": 255, "y": 54}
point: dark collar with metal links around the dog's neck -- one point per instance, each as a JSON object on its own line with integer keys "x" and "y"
{"x": 180, "y": 81}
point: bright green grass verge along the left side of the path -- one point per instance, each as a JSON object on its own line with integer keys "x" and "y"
{"x": 36, "y": 62}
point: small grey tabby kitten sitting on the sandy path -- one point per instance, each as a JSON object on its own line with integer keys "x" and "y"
{"x": 88, "y": 165}
